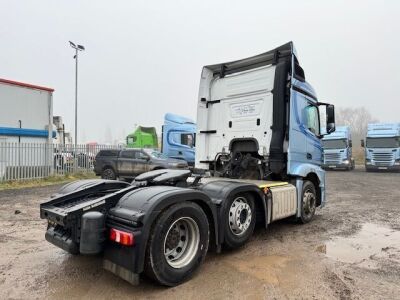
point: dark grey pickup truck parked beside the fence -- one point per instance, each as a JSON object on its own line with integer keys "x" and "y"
{"x": 128, "y": 163}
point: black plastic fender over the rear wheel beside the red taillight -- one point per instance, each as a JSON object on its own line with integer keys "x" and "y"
{"x": 141, "y": 207}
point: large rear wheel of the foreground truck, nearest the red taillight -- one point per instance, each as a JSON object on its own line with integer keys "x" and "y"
{"x": 178, "y": 244}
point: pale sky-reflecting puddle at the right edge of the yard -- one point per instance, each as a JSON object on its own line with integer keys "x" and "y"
{"x": 371, "y": 242}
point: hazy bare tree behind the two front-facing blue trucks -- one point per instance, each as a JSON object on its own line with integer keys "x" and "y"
{"x": 356, "y": 118}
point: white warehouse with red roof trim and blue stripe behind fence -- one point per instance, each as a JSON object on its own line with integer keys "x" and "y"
{"x": 26, "y": 115}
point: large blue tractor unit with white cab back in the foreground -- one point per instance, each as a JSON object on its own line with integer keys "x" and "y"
{"x": 258, "y": 159}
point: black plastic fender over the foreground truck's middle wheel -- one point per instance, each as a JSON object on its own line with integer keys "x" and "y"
{"x": 222, "y": 190}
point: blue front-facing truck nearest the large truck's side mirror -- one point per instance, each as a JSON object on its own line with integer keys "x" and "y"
{"x": 338, "y": 149}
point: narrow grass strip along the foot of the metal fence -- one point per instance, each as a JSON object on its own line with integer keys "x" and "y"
{"x": 56, "y": 179}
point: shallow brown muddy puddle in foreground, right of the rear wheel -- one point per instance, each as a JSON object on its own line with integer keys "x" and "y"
{"x": 264, "y": 268}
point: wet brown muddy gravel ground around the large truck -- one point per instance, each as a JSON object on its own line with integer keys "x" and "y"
{"x": 351, "y": 250}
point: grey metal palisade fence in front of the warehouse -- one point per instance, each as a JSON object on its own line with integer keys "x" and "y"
{"x": 23, "y": 161}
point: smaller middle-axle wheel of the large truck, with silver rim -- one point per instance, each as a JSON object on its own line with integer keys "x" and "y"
{"x": 240, "y": 220}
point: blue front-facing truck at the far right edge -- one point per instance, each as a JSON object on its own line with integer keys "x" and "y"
{"x": 382, "y": 147}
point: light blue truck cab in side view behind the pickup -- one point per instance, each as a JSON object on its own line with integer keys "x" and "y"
{"x": 178, "y": 138}
